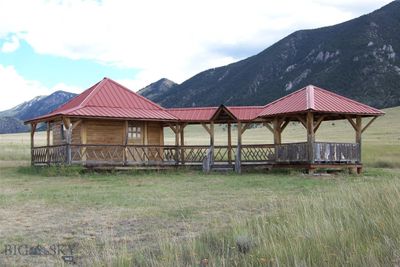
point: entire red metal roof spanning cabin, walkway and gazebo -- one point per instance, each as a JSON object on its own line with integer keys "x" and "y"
{"x": 109, "y": 99}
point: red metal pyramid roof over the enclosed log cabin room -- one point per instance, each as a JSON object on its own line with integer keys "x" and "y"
{"x": 108, "y": 98}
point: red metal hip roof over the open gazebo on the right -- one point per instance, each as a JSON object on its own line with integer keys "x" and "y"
{"x": 312, "y": 98}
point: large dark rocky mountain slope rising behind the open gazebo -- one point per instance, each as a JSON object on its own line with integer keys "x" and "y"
{"x": 359, "y": 59}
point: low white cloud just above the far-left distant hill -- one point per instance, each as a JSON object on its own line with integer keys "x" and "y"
{"x": 15, "y": 89}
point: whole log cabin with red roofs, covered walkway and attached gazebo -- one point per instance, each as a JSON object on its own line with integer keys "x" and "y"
{"x": 110, "y": 125}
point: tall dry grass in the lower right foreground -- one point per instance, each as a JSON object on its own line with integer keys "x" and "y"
{"x": 356, "y": 225}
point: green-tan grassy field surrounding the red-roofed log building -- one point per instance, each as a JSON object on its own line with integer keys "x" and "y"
{"x": 186, "y": 218}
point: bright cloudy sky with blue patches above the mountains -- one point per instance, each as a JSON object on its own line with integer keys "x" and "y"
{"x": 50, "y": 45}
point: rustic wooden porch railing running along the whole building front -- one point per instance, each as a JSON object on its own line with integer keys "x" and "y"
{"x": 170, "y": 155}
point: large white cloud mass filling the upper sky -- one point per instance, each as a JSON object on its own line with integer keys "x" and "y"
{"x": 173, "y": 39}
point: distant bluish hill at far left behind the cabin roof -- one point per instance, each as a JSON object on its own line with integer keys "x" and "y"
{"x": 11, "y": 121}
